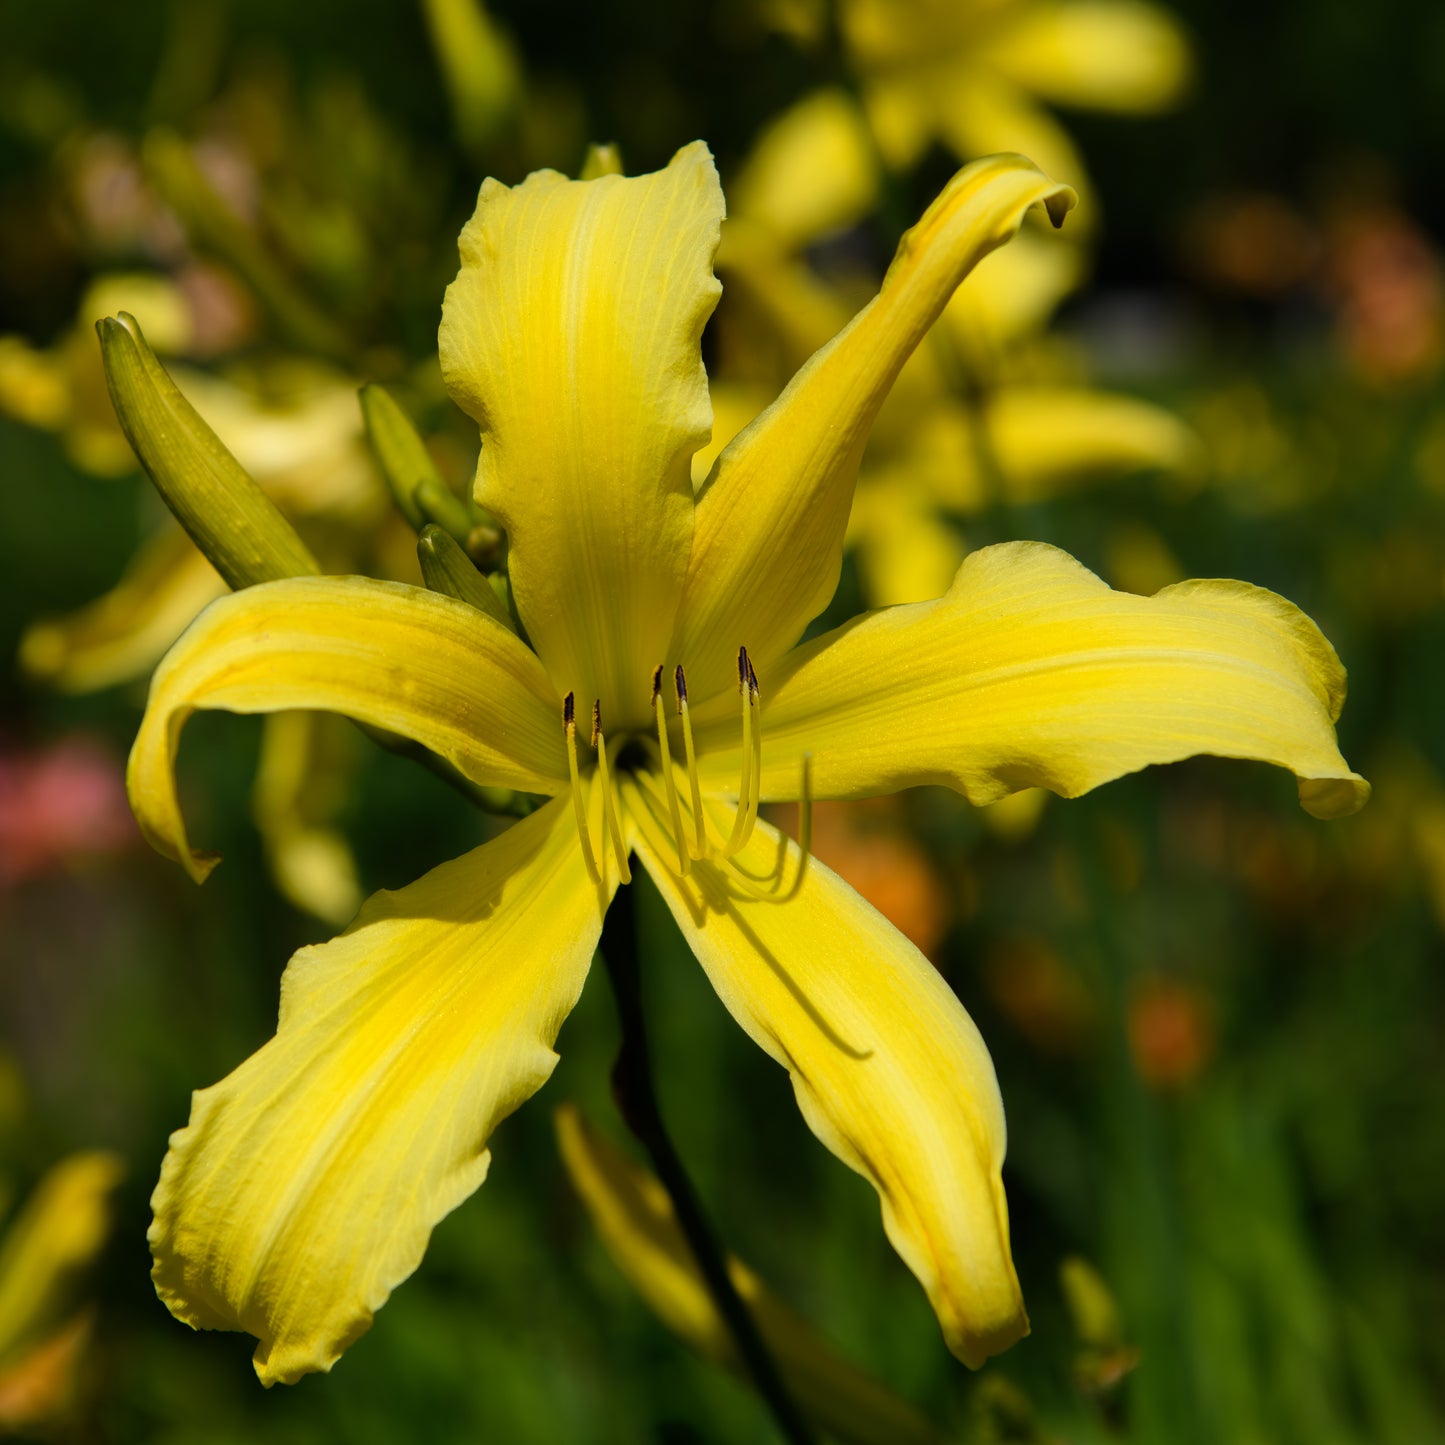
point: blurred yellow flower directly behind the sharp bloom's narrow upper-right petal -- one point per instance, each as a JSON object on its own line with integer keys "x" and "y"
{"x": 986, "y": 413}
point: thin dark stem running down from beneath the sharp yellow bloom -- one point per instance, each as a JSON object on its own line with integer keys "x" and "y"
{"x": 638, "y": 1103}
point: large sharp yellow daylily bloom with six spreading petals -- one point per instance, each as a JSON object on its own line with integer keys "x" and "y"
{"x": 663, "y": 697}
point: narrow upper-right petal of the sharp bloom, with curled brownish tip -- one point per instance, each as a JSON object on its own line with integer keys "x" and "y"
{"x": 771, "y": 521}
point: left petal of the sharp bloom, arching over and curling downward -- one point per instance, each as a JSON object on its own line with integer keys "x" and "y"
{"x": 395, "y": 657}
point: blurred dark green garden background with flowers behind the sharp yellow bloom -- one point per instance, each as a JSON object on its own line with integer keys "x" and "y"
{"x": 1219, "y": 1025}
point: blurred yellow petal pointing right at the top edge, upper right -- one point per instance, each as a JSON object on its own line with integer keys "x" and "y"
{"x": 1121, "y": 56}
